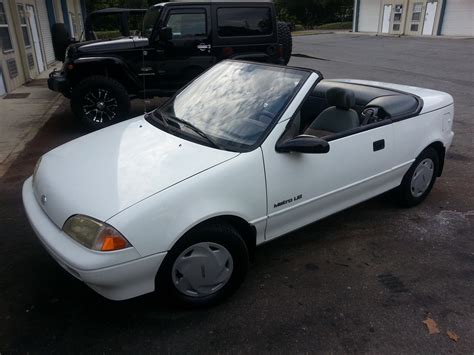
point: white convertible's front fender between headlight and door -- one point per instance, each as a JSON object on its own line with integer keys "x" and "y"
{"x": 234, "y": 188}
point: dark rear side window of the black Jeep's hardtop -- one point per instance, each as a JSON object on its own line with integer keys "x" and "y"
{"x": 238, "y": 22}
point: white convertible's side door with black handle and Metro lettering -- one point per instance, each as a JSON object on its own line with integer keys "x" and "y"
{"x": 304, "y": 187}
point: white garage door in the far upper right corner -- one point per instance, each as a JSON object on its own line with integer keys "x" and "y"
{"x": 459, "y": 18}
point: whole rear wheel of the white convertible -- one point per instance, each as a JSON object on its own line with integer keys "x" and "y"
{"x": 419, "y": 179}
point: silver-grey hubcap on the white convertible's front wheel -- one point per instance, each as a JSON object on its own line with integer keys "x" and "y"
{"x": 202, "y": 269}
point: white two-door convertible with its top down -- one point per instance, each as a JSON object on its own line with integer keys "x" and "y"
{"x": 176, "y": 200}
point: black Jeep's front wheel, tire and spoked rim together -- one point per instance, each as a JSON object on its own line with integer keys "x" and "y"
{"x": 99, "y": 101}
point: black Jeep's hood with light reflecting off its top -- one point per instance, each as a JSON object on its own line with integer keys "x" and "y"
{"x": 112, "y": 45}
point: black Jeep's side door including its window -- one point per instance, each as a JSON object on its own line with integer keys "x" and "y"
{"x": 188, "y": 53}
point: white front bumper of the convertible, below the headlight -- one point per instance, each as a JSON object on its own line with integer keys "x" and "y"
{"x": 115, "y": 275}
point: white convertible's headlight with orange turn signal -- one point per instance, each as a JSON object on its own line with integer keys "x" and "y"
{"x": 94, "y": 234}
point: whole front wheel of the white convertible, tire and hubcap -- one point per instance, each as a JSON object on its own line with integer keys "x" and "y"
{"x": 213, "y": 242}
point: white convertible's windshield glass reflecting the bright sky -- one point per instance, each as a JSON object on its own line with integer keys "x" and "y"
{"x": 235, "y": 103}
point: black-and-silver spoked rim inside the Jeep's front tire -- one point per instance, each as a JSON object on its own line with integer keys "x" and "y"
{"x": 100, "y": 106}
